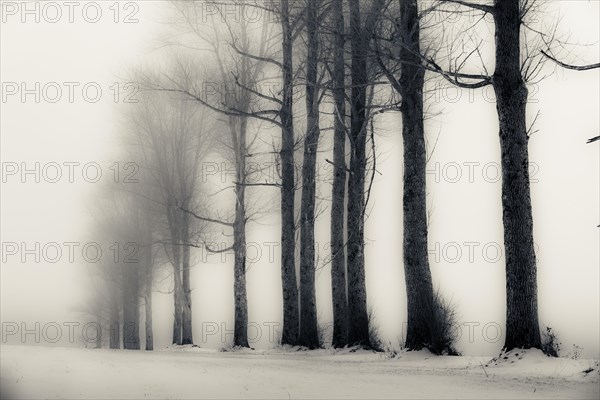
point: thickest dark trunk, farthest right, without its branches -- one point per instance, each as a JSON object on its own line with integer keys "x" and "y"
{"x": 522, "y": 326}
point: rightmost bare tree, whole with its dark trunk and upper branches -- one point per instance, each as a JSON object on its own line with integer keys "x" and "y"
{"x": 514, "y": 66}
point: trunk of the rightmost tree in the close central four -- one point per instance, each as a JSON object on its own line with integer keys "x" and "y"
{"x": 358, "y": 333}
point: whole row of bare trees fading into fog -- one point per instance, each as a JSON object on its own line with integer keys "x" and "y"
{"x": 350, "y": 61}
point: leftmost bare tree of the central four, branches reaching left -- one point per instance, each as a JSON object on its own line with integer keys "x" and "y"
{"x": 280, "y": 113}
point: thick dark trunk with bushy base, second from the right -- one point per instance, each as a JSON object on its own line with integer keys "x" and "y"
{"x": 419, "y": 287}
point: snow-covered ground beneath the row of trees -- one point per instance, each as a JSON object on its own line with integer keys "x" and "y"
{"x": 56, "y": 372}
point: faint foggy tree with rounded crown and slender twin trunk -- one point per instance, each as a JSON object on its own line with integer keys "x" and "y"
{"x": 170, "y": 135}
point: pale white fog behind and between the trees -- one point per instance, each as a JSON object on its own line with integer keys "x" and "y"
{"x": 464, "y": 195}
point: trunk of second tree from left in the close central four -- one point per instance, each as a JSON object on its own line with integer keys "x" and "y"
{"x": 308, "y": 310}
